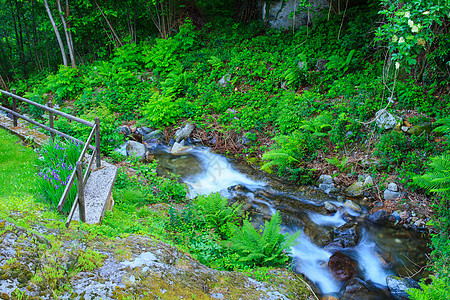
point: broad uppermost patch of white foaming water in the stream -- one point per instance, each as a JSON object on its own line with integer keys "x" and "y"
{"x": 217, "y": 175}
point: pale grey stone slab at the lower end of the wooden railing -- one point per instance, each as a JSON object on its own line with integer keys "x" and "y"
{"x": 97, "y": 193}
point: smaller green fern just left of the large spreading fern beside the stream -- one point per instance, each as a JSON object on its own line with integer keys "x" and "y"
{"x": 217, "y": 213}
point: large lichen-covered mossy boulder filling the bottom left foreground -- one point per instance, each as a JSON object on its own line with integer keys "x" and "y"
{"x": 76, "y": 265}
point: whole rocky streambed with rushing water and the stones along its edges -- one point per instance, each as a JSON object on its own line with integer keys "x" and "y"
{"x": 350, "y": 247}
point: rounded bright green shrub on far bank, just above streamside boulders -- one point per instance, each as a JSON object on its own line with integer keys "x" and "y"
{"x": 161, "y": 110}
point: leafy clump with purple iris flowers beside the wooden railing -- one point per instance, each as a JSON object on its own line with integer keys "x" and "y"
{"x": 56, "y": 166}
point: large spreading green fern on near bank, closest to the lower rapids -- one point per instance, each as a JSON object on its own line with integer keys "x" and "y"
{"x": 271, "y": 248}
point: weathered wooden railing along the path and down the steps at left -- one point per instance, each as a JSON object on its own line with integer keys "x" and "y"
{"x": 78, "y": 170}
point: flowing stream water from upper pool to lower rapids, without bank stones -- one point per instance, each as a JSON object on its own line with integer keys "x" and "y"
{"x": 378, "y": 251}
